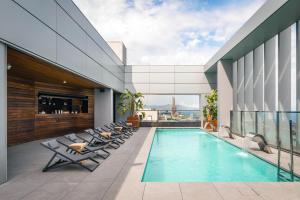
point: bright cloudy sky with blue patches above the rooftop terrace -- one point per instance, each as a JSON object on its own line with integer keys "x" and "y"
{"x": 168, "y": 31}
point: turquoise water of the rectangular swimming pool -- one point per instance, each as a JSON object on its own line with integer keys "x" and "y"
{"x": 192, "y": 155}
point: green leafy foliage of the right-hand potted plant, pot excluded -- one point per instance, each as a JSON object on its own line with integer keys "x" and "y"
{"x": 211, "y": 107}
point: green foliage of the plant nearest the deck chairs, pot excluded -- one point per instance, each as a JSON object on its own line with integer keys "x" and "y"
{"x": 131, "y": 102}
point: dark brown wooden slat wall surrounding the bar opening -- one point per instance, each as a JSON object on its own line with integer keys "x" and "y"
{"x": 24, "y": 122}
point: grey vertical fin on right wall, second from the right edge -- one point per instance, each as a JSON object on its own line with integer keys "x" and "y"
{"x": 284, "y": 84}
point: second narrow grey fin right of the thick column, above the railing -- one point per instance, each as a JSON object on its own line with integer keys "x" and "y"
{"x": 240, "y": 84}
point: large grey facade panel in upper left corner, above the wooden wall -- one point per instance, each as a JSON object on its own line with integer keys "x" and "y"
{"x": 26, "y": 31}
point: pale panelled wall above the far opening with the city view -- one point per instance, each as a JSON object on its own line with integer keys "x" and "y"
{"x": 169, "y": 79}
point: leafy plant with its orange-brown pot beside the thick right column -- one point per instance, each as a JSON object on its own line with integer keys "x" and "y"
{"x": 210, "y": 111}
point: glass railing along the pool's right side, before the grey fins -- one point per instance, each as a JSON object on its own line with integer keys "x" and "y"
{"x": 273, "y": 125}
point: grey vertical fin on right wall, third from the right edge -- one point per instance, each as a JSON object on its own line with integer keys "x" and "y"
{"x": 270, "y": 89}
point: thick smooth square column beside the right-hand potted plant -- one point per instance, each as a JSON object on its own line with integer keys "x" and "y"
{"x": 225, "y": 91}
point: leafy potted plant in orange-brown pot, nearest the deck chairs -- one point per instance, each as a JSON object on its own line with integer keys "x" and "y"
{"x": 131, "y": 102}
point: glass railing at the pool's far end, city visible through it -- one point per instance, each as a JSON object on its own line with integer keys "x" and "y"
{"x": 169, "y": 115}
